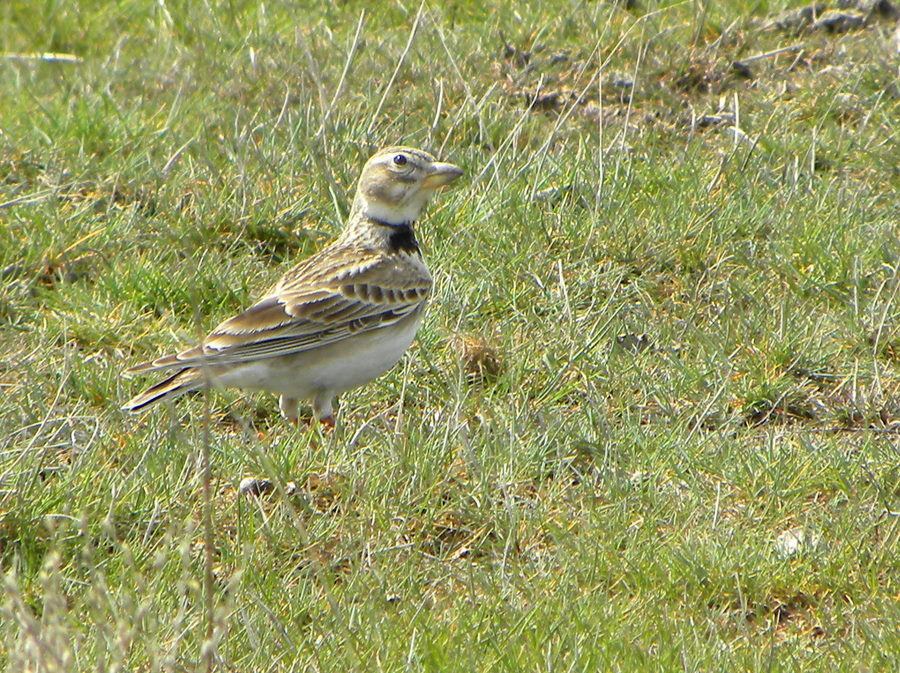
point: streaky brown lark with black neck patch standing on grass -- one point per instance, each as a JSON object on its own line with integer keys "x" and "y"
{"x": 337, "y": 320}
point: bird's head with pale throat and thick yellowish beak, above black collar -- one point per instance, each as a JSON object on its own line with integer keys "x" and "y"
{"x": 397, "y": 182}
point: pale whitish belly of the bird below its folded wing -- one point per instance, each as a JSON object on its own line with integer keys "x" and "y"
{"x": 331, "y": 369}
